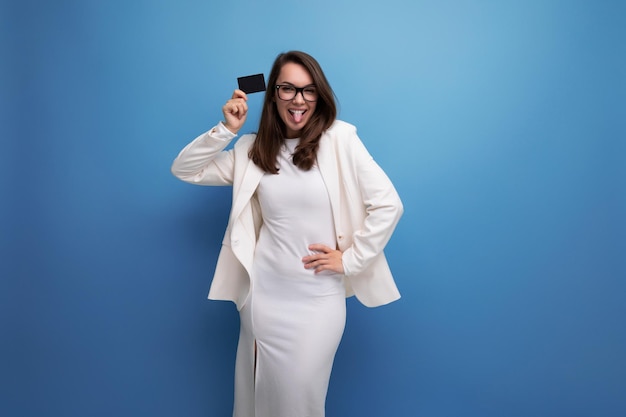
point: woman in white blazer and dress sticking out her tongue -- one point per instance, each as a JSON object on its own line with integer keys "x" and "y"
{"x": 310, "y": 216}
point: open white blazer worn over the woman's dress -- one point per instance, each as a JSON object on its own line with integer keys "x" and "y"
{"x": 365, "y": 208}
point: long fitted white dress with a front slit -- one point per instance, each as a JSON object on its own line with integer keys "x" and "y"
{"x": 294, "y": 319}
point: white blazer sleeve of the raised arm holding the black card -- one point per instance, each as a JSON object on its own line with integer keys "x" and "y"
{"x": 204, "y": 161}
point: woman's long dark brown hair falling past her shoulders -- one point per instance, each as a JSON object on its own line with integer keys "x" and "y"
{"x": 272, "y": 129}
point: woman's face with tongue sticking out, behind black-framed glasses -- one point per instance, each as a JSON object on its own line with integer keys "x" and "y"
{"x": 296, "y": 112}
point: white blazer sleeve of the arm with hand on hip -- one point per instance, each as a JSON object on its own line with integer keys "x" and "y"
{"x": 380, "y": 206}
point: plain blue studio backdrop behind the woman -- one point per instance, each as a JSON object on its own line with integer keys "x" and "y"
{"x": 502, "y": 124}
